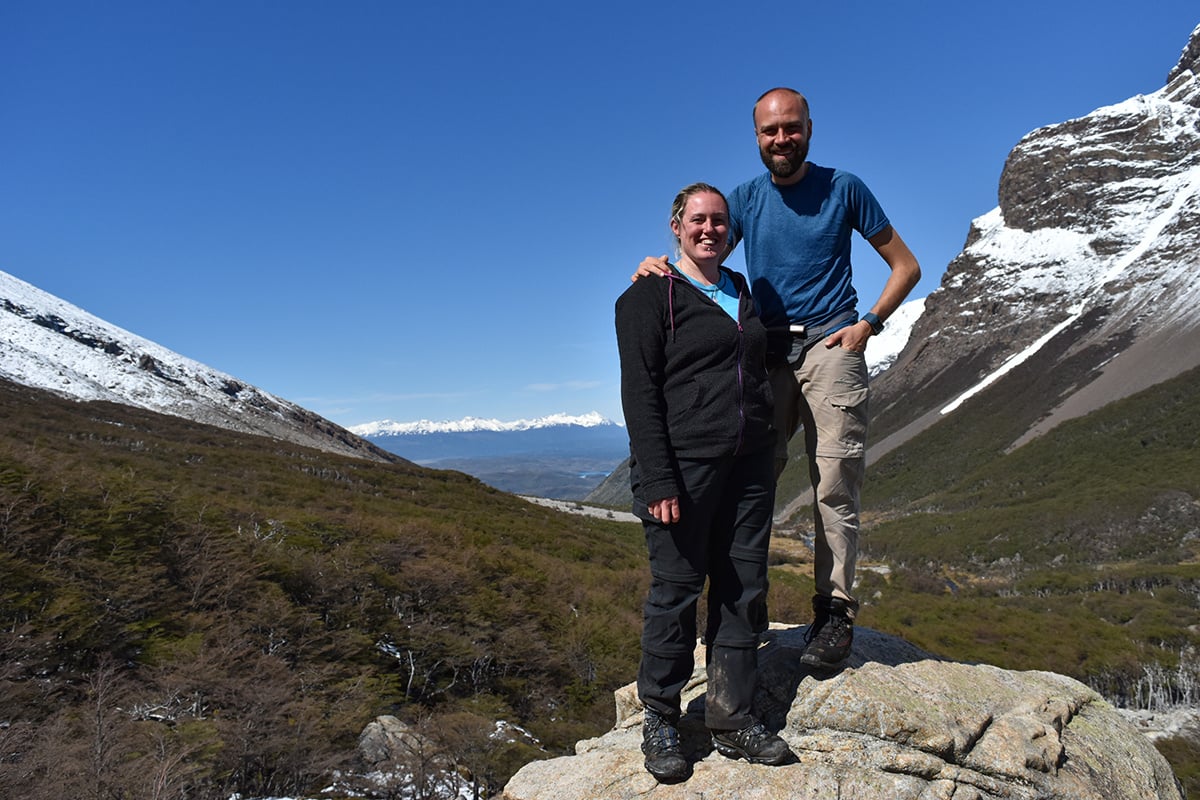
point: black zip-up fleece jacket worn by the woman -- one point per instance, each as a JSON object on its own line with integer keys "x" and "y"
{"x": 693, "y": 381}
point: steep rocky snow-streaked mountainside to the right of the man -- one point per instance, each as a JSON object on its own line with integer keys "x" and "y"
{"x": 1081, "y": 287}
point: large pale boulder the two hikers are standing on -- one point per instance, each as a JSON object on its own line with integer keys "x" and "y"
{"x": 898, "y": 724}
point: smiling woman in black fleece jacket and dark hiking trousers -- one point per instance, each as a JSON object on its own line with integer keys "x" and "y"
{"x": 698, "y": 408}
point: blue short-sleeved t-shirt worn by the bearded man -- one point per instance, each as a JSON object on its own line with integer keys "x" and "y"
{"x": 797, "y": 243}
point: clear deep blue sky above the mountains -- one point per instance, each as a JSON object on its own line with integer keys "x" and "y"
{"x": 400, "y": 210}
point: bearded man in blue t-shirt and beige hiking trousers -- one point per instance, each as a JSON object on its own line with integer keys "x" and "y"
{"x": 796, "y": 224}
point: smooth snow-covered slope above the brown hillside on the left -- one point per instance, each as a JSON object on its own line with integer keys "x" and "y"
{"x": 51, "y": 345}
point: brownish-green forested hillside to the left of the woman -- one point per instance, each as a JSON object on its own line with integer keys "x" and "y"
{"x": 191, "y": 612}
